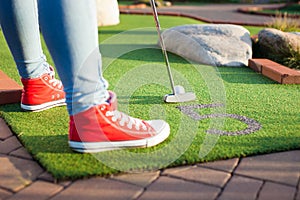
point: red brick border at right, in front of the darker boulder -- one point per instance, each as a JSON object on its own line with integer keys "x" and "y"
{"x": 275, "y": 71}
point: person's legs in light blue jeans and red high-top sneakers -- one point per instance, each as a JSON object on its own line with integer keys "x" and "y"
{"x": 70, "y": 31}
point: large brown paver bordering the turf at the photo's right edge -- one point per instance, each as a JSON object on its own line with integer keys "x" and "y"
{"x": 281, "y": 167}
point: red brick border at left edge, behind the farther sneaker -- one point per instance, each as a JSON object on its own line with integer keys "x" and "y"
{"x": 10, "y": 91}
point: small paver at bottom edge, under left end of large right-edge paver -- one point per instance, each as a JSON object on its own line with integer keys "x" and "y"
{"x": 241, "y": 185}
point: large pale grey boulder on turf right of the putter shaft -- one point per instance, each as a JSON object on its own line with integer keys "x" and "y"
{"x": 212, "y": 44}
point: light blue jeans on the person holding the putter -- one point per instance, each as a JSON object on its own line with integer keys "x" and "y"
{"x": 70, "y": 31}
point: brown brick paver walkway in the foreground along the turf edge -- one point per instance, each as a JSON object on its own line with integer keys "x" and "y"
{"x": 264, "y": 177}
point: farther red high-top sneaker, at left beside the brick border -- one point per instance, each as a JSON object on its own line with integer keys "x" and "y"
{"x": 42, "y": 93}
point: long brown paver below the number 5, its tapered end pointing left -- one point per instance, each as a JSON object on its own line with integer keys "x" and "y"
{"x": 199, "y": 174}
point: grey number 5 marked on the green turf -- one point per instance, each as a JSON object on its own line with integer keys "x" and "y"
{"x": 191, "y": 111}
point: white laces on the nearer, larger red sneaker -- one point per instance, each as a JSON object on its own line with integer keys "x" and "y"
{"x": 125, "y": 119}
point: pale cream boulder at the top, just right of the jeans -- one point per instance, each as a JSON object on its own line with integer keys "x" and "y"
{"x": 108, "y": 12}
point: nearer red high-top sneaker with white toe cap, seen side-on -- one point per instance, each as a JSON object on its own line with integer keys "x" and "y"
{"x": 103, "y": 128}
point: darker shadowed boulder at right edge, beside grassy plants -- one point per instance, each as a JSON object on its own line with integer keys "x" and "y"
{"x": 276, "y": 44}
